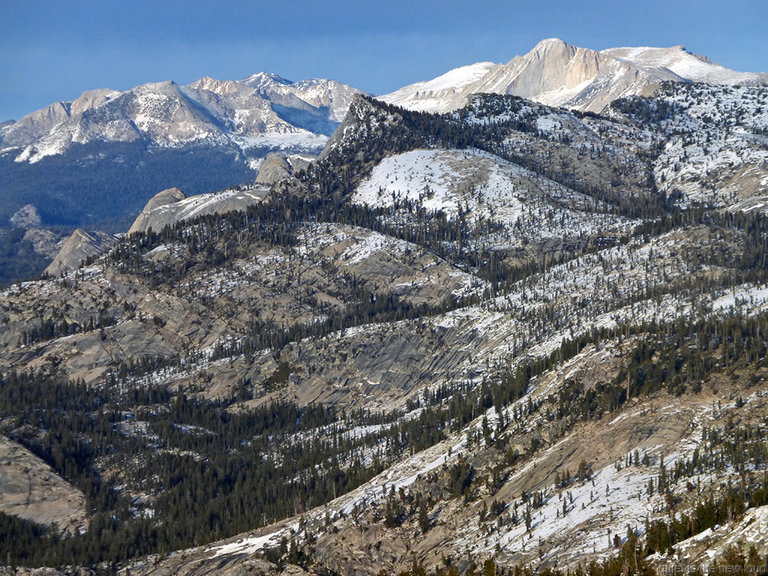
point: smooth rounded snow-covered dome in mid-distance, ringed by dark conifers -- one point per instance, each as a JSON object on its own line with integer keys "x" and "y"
{"x": 481, "y": 185}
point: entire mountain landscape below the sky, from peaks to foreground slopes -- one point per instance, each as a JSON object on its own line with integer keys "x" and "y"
{"x": 511, "y": 320}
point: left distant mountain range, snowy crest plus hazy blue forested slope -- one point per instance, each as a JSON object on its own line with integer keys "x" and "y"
{"x": 96, "y": 160}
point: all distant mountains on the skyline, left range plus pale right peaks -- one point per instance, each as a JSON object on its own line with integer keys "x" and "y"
{"x": 95, "y": 161}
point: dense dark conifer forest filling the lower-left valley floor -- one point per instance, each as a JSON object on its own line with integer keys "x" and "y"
{"x": 207, "y": 466}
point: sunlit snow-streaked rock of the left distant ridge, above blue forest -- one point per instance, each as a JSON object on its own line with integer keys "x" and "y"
{"x": 51, "y": 130}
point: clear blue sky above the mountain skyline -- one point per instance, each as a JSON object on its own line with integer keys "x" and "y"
{"x": 54, "y": 50}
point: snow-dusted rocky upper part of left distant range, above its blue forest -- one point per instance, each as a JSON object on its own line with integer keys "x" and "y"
{"x": 241, "y": 114}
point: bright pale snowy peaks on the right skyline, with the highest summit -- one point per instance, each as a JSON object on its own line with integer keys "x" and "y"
{"x": 558, "y": 74}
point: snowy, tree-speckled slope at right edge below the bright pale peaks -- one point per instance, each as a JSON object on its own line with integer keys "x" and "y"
{"x": 713, "y": 142}
